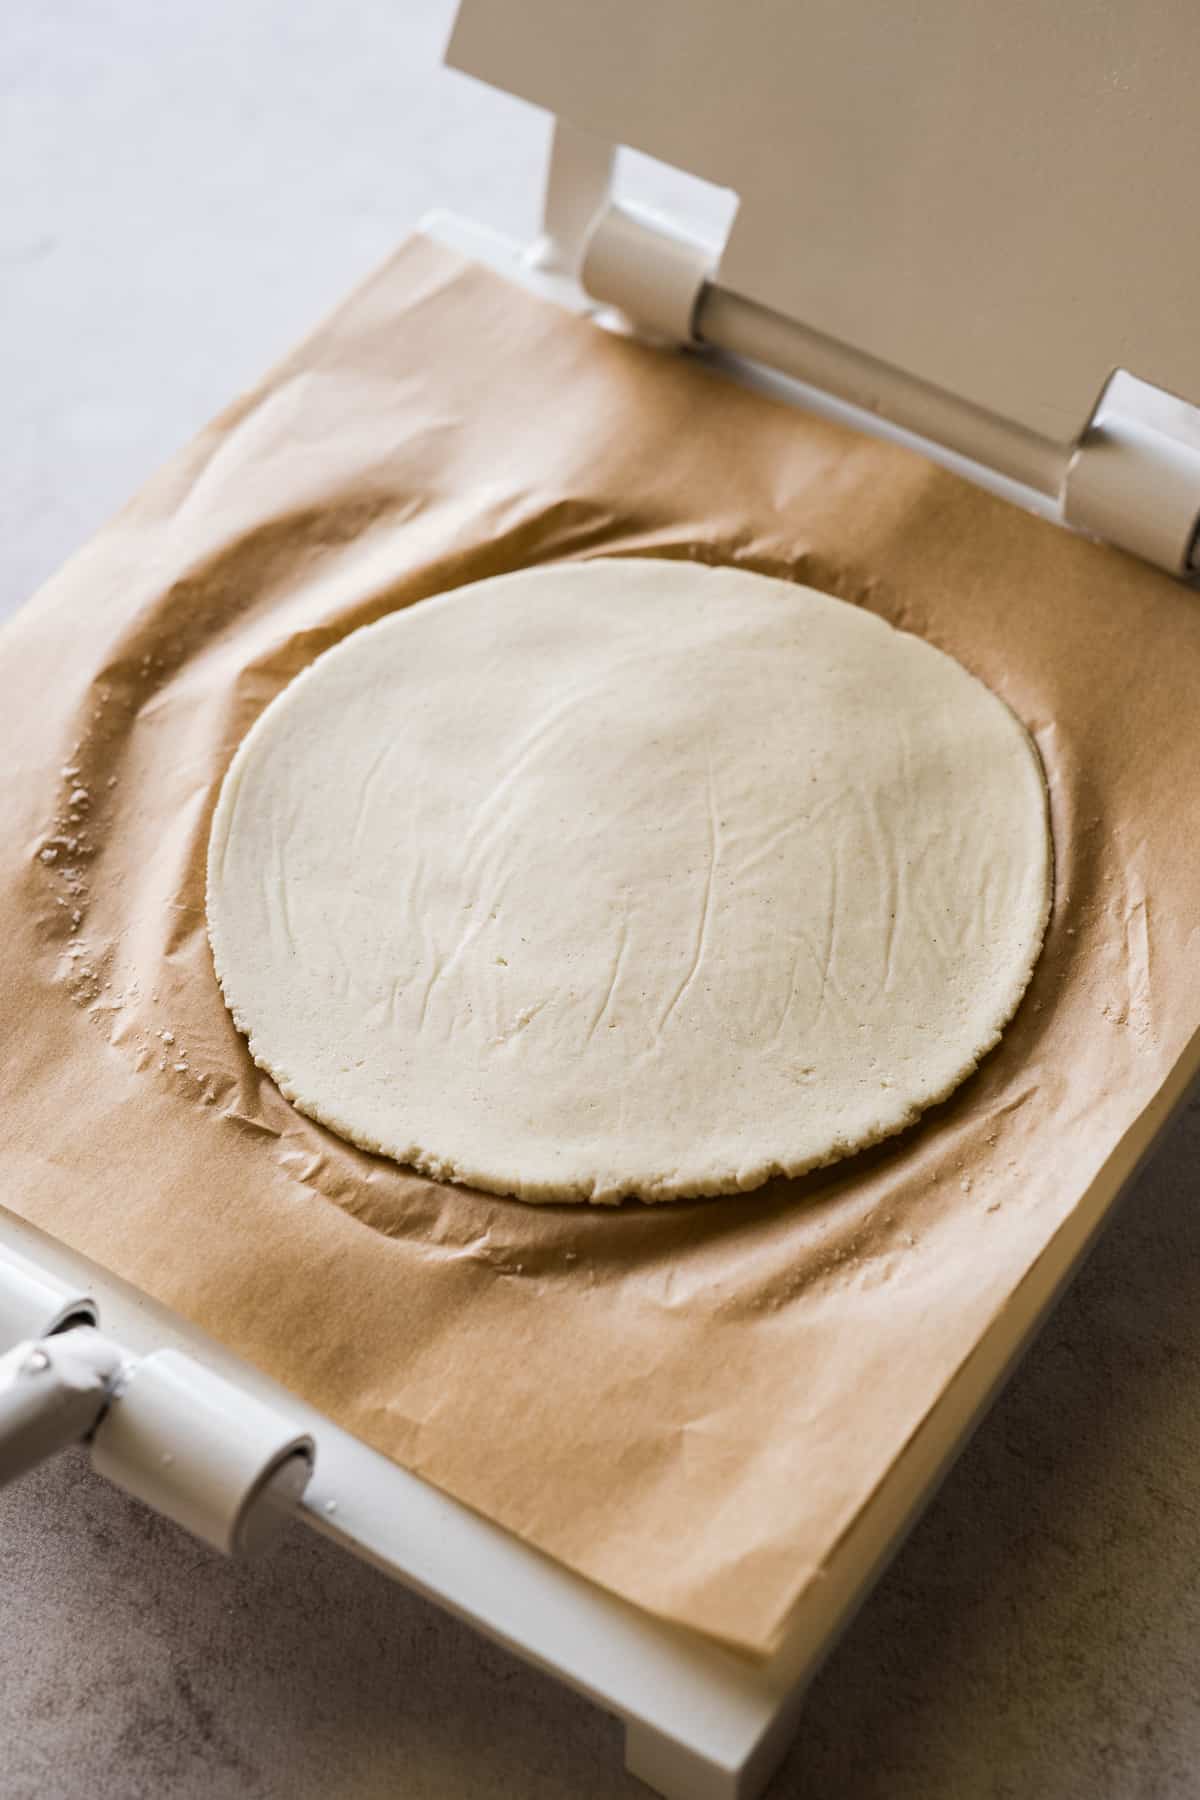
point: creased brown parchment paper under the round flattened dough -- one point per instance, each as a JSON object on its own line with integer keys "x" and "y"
{"x": 686, "y": 1403}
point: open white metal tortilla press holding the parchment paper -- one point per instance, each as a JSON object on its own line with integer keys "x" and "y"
{"x": 956, "y": 228}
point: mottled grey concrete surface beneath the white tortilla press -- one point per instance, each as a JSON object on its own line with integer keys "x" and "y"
{"x": 183, "y": 192}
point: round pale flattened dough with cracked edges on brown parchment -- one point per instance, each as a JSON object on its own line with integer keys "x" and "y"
{"x": 627, "y": 879}
